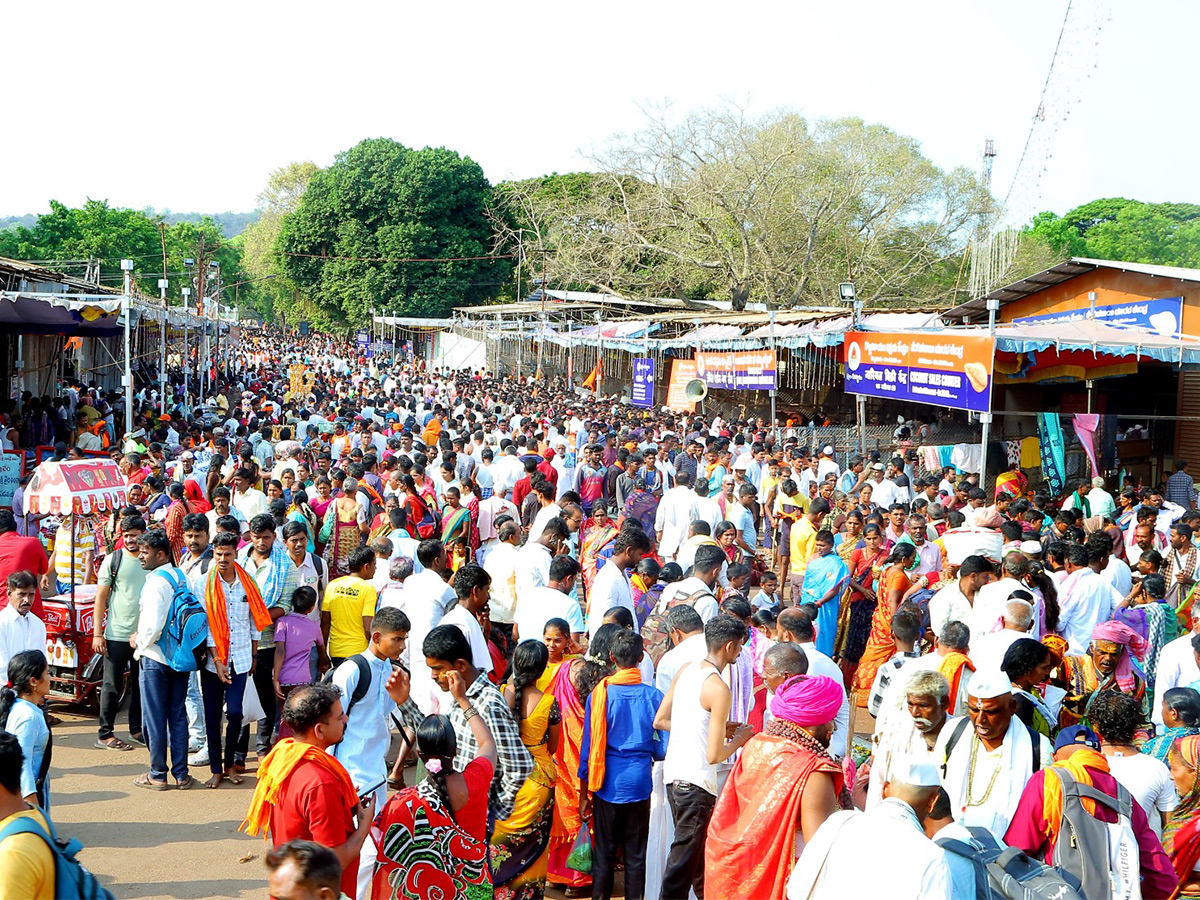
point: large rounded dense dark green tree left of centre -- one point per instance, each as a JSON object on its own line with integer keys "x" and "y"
{"x": 355, "y": 242}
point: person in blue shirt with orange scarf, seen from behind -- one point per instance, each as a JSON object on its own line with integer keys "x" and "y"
{"x": 616, "y": 772}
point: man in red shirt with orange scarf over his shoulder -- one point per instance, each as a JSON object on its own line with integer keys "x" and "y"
{"x": 303, "y": 793}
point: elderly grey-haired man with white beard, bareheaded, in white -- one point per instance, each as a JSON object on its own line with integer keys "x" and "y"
{"x": 913, "y": 734}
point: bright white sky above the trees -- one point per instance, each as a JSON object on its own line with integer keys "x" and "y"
{"x": 524, "y": 88}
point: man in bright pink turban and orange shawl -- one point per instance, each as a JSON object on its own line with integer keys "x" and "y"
{"x": 784, "y": 782}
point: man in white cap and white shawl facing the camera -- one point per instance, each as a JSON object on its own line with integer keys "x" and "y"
{"x": 991, "y": 759}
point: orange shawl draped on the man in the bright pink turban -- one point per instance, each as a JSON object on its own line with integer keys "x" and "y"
{"x": 752, "y": 836}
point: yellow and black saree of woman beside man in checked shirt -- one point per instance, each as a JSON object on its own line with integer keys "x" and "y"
{"x": 521, "y": 843}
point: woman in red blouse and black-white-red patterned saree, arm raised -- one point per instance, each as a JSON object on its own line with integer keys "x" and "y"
{"x": 433, "y": 838}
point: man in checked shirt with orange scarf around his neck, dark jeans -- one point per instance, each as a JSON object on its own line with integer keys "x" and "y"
{"x": 237, "y": 616}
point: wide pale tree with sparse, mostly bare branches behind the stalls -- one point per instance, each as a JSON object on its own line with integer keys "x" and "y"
{"x": 776, "y": 211}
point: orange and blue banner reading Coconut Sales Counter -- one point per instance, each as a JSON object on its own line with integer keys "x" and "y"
{"x": 946, "y": 370}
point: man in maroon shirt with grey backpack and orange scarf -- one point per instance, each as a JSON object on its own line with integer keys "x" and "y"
{"x": 1079, "y": 819}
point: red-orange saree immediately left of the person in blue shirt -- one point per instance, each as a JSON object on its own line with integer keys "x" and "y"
{"x": 567, "y": 821}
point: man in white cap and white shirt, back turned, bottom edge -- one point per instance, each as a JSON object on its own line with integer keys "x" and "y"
{"x": 904, "y": 862}
